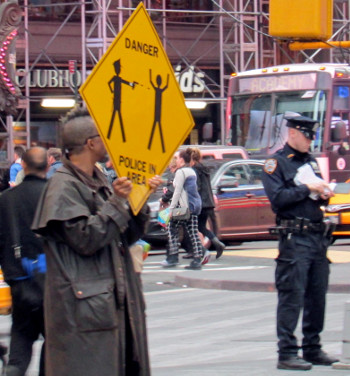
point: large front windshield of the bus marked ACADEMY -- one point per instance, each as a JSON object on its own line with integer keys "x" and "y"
{"x": 251, "y": 115}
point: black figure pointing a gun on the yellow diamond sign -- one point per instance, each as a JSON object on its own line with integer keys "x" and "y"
{"x": 116, "y": 89}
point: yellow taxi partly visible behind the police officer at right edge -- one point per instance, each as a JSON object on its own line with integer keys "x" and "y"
{"x": 338, "y": 209}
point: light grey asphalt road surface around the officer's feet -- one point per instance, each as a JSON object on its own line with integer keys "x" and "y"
{"x": 197, "y": 332}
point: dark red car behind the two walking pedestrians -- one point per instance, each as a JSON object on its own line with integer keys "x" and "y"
{"x": 243, "y": 211}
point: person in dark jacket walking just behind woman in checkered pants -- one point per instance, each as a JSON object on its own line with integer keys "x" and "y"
{"x": 208, "y": 204}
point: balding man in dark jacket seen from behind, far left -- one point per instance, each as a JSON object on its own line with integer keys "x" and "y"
{"x": 17, "y": 207}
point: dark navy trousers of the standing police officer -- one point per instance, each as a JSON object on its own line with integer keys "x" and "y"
{"x": 301, "y": 280}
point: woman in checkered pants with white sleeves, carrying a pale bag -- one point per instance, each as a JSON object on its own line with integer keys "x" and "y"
{"x": 185, "y": 197}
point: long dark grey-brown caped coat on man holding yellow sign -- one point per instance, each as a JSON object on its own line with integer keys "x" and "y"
{"x": 94, "y": 307}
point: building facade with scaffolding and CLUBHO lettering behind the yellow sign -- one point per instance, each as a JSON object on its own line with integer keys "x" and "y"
{"x": 206, "y": 40}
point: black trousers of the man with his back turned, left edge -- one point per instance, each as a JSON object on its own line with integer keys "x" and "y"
{"x": 27, "y": 325}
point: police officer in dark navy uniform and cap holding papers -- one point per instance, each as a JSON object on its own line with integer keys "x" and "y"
{"x": 302, "y": 265}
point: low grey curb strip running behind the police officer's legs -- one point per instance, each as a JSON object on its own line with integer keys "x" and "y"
{"x": 181, "y": 281}
